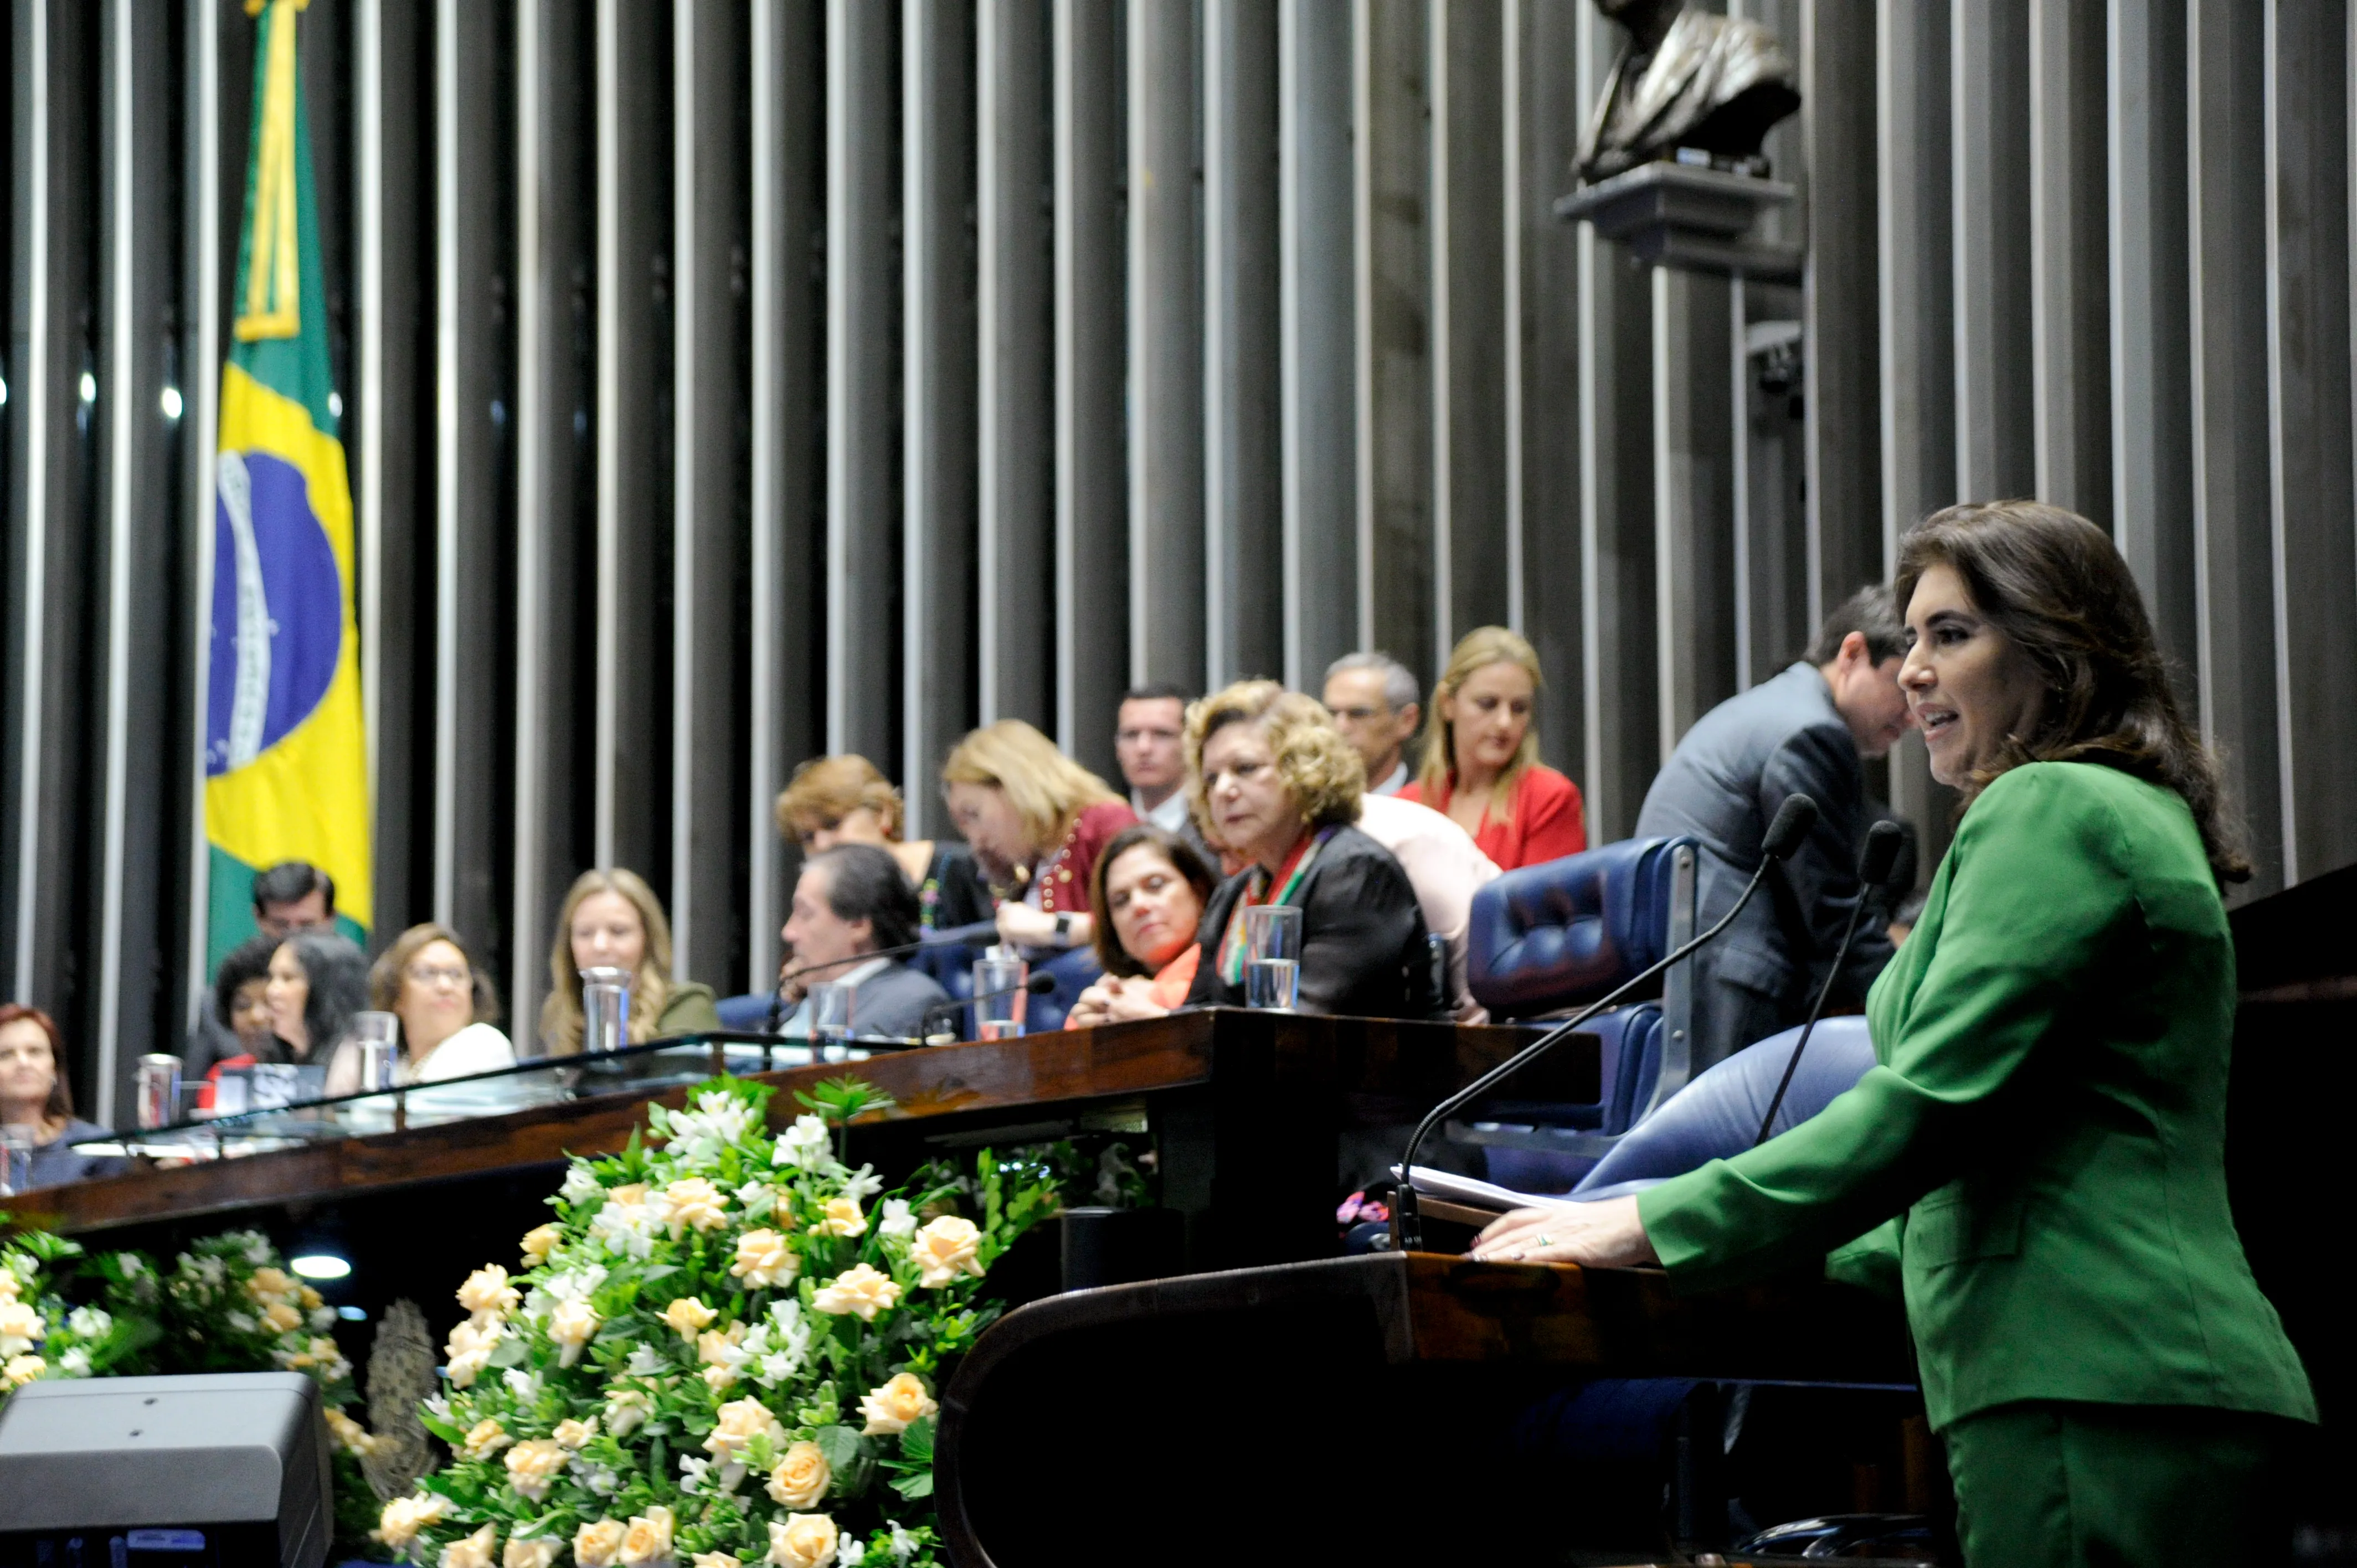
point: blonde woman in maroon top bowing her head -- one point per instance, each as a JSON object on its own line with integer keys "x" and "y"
{"x": 1036, "y": 822}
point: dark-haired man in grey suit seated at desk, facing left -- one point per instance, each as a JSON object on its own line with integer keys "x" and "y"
{"x": 850, "y": 904}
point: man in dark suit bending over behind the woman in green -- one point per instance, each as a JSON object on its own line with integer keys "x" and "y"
{"x": 1804, "y": 732}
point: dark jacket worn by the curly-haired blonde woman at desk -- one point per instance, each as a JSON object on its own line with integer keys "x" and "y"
{"x": 1364, "y": 949}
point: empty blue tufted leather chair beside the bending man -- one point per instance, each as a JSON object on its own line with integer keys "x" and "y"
{"x": 1552, "y": 937}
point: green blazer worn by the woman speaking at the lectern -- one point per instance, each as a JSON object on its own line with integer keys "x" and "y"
{"x": 2049, "y": 1116}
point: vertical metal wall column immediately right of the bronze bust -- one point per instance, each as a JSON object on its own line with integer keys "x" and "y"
{"x": 1840, "y": 355}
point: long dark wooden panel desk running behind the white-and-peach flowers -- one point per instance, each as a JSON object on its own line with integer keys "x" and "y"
{"x": 1248, "y": 1112}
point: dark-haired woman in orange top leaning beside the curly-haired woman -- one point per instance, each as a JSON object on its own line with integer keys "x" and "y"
{"x": 1149, "y": 890}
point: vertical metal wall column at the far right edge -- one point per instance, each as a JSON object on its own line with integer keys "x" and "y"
{"x": 2309, "y": 411}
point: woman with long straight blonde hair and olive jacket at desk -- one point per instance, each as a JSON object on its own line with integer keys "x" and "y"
{"x": 612, "y": 921}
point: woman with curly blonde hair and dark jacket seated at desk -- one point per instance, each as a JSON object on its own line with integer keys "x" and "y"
{"x": 1279, "y": 786}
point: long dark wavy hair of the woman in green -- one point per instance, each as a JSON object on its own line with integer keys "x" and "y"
{"x": 2059, "y": 588}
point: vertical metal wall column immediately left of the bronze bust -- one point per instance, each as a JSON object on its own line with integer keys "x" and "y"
{"x": 1543, "y": 353}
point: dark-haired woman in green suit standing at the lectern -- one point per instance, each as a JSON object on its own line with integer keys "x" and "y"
{"x": 2049, "y": 1114}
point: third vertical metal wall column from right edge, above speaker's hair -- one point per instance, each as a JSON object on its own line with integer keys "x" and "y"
{"x": 2153, "y": 482}
